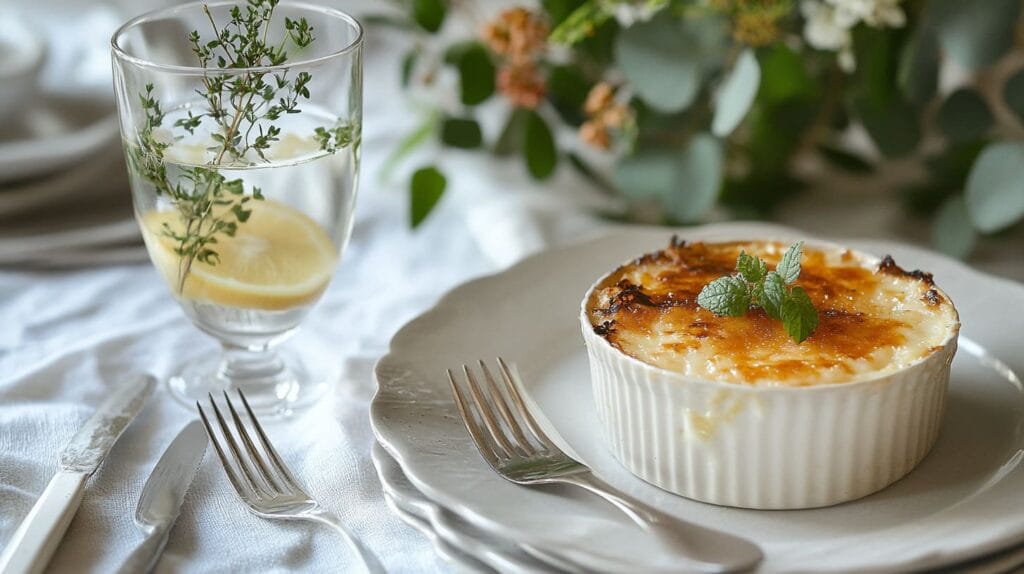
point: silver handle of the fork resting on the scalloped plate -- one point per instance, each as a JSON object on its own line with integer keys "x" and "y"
{"x": 711, "y": 551}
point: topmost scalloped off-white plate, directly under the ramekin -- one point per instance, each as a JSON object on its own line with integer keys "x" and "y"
{"x": 965, "y": 500}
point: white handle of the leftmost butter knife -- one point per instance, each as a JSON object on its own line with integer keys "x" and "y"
{"x": 33, "y": 544}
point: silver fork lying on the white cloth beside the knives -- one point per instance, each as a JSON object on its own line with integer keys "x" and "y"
{"x": 263, "y": 480}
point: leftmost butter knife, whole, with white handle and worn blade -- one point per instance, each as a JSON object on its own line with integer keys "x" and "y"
{"x": 33, "y": 544}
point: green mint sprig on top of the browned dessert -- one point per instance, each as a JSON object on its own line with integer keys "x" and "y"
{"x": 754, "y": 286}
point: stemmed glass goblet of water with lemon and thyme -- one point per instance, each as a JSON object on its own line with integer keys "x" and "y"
{"x": 241, "y": 124}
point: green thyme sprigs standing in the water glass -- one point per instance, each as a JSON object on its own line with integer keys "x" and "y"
{"x": 242, "y": 108}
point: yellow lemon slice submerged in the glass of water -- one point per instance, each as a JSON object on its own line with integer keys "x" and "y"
{"x": 279, "y": 259}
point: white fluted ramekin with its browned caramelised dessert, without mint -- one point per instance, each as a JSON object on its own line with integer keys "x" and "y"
{"x": 732, "y": 411}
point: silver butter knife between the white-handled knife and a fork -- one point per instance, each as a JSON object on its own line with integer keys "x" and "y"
{"x": 162, "y": 497}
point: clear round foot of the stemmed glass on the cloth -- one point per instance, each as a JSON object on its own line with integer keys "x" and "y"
{"x": 277, "y": 386}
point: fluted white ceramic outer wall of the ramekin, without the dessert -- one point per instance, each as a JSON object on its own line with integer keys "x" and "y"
{"x": 766, "y": 448}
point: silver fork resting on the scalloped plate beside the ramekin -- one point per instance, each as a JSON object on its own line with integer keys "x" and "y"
{"x": 511, "y": 441}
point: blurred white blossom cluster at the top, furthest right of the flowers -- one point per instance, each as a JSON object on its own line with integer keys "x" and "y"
{"x": 828, "y": 23}
